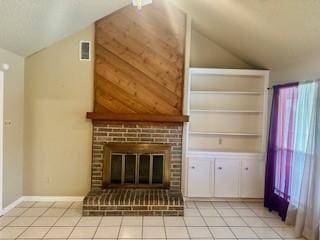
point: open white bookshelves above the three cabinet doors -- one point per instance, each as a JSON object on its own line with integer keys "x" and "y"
{"x": 227, "y": 109}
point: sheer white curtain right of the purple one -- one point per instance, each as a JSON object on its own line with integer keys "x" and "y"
{"x": 304, "y": 203}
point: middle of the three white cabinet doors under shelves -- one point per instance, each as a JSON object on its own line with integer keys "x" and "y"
{"x": 227, "y": 176}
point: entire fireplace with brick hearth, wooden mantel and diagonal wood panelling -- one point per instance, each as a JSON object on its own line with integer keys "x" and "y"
{"x": 138, "y": 116}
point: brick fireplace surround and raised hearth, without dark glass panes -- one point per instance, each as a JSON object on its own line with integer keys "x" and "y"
{"x": 161, "y": 139}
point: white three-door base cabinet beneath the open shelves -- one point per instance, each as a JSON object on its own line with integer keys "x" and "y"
{"x": 225, "y": 175}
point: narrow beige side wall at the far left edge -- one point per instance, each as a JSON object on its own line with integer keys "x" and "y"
{"x": 13, "y": 132}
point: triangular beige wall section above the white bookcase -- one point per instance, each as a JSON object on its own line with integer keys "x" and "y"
{"x": 205, "y": 53}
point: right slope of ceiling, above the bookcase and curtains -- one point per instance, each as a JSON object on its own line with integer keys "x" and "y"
{"x": 265, "y": 33}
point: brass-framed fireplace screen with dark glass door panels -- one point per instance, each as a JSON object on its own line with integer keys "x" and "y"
{"x": 138, "y": 165}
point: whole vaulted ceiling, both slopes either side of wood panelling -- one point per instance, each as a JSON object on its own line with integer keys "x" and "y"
{"x": 265, "y": 33}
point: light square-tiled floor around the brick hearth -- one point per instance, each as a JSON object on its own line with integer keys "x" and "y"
{"x": 203, "y": 220}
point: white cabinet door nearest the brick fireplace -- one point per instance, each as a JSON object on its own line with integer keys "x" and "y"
{"x": 199, "y": 178}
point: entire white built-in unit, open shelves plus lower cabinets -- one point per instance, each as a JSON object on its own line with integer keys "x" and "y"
{"x": 226, "y": 136}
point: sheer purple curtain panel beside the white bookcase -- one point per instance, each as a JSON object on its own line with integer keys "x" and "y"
{"x": 280, "y": 148}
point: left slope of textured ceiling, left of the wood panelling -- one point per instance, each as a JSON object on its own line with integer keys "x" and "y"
{"x": 27, "y": 26}
